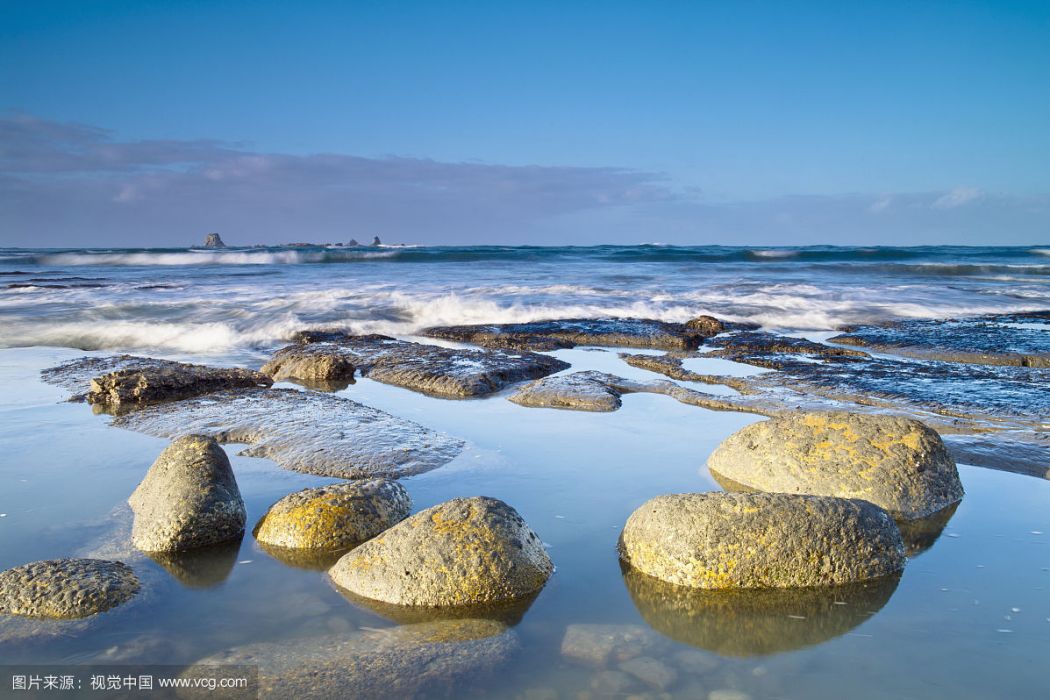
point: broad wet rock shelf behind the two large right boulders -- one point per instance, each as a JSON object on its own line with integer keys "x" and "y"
{"x": 990, "y": 415}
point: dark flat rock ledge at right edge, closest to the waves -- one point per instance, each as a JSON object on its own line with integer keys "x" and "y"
{"x": 1011, "y": 340}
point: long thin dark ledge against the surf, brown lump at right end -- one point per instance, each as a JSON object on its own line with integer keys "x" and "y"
{"x": 570, "y": 333}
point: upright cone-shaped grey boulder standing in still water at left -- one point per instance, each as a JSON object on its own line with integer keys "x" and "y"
{"x": 190, "y": 499}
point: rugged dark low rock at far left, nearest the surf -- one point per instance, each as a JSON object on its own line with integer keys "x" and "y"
{"x": 124, "y": 383}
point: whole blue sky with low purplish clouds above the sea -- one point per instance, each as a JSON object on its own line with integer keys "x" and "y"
{"x": 150, "y": 124}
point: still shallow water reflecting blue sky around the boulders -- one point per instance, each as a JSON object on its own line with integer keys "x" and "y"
{"x": 970, "y": 619}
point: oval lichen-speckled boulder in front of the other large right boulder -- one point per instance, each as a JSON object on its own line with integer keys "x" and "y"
{"x": 759, "y": 541}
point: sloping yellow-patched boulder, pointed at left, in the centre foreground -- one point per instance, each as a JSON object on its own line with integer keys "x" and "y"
{"x": 461, "y": 553}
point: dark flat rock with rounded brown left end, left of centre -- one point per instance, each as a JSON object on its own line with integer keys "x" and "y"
{"x": 443, "y": 372}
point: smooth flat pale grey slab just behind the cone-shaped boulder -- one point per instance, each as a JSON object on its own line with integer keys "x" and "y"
{"x": 317, "y": 434}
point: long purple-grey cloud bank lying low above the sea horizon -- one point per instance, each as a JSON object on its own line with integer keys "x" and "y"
{"x": 75, "y": 185}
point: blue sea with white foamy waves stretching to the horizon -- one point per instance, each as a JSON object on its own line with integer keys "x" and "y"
{"x": 229, "y": 302}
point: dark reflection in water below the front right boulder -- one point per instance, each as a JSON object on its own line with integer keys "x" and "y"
{"x": 753, "y": 623}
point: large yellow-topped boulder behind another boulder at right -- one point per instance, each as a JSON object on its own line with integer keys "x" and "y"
{"x": 897, "y": 463}
